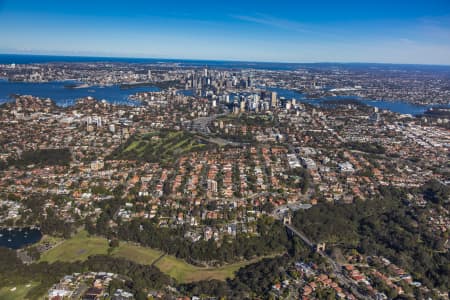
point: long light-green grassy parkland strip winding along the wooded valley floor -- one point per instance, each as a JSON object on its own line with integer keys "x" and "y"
{"x": 81, "y": 246}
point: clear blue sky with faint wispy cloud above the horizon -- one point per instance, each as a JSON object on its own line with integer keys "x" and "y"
{"x": 394, "y": 31}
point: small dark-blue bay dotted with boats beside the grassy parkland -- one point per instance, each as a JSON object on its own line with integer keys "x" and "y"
{"x": 16, "y": 238}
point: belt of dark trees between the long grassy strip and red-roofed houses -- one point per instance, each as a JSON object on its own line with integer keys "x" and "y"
{"x": 272, "y": 238}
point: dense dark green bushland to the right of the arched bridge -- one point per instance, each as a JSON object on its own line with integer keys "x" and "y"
{"x": 386, "y": 227}
